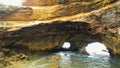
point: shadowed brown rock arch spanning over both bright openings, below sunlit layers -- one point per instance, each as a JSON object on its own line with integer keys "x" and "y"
{"x": 48, "y": 37}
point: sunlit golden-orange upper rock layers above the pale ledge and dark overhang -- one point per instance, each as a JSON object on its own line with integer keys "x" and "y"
{"x": 69, "y": 8}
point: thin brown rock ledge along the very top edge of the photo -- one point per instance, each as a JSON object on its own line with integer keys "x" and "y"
{"x": 55, "y": 2}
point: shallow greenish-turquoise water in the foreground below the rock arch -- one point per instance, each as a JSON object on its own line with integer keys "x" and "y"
{"x": 73, "y": 60}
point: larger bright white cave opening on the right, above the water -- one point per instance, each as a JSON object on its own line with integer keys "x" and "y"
{"x": 97, "y": 49}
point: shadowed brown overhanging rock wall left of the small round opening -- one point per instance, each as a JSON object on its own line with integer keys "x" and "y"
{"x": 44, "y": 36}
